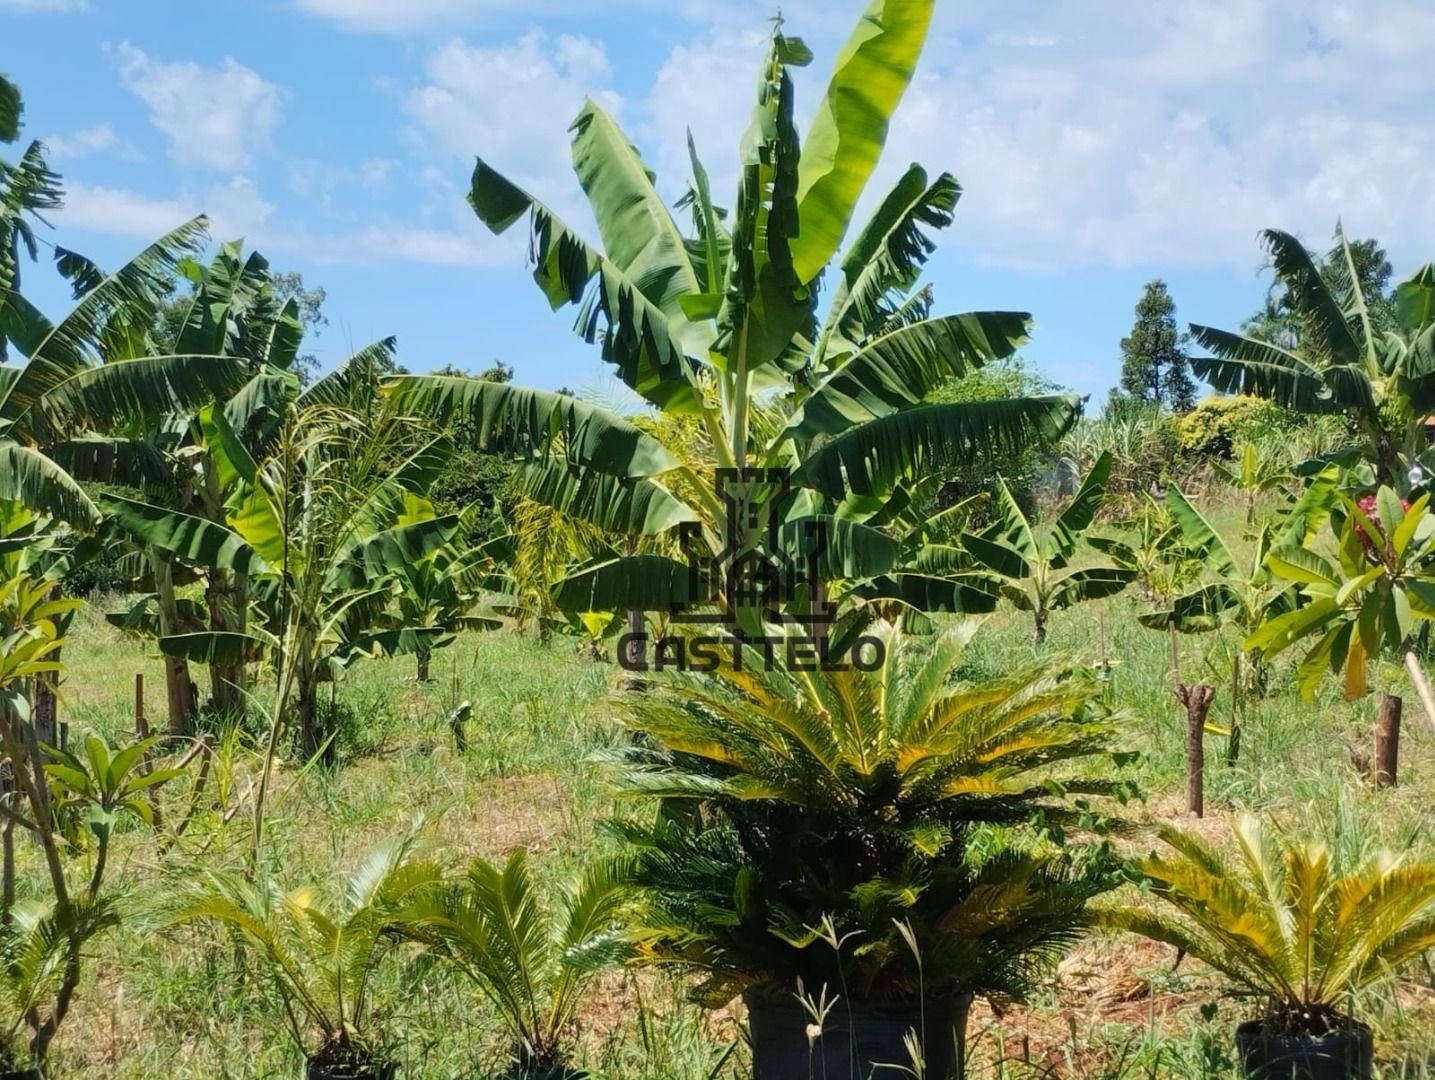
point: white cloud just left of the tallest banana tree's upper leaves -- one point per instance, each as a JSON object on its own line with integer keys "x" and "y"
{"x": 513, "y": 105}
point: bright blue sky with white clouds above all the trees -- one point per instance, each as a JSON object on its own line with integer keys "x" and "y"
{"x": 1100, "y": 144}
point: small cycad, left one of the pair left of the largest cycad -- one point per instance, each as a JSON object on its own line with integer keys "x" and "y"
{"x": 321, "y": 957}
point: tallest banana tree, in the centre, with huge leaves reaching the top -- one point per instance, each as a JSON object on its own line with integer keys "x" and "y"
{"x": 721, "y": 331}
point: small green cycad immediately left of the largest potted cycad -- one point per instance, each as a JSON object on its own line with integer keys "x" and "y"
{"x": 533, "y": 959}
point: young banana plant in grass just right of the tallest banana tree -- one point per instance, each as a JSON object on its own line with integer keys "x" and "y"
{"x": 1032, "y": 563}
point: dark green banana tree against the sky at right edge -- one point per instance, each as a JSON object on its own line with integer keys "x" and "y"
{"x": 1385, "y": 381}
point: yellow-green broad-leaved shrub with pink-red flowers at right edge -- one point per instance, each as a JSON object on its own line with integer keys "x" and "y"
{"x": 1365, "y": 605}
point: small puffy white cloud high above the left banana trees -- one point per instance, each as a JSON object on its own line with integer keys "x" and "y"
{"x": 213, "y": 117}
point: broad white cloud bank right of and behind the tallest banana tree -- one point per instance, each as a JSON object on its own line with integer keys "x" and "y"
{"x": 1100, "y": 133}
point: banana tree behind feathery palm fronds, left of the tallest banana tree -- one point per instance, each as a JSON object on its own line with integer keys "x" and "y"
{"x": 321, "y": 517}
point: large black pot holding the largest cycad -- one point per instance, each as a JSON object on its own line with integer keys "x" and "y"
{"x": 857, "y": 1038}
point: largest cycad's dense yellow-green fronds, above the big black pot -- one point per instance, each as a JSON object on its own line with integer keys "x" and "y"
{"x": 817, "y": 820}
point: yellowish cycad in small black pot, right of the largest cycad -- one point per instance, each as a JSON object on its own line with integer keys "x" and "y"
{"x": 1284, "y": 923}
